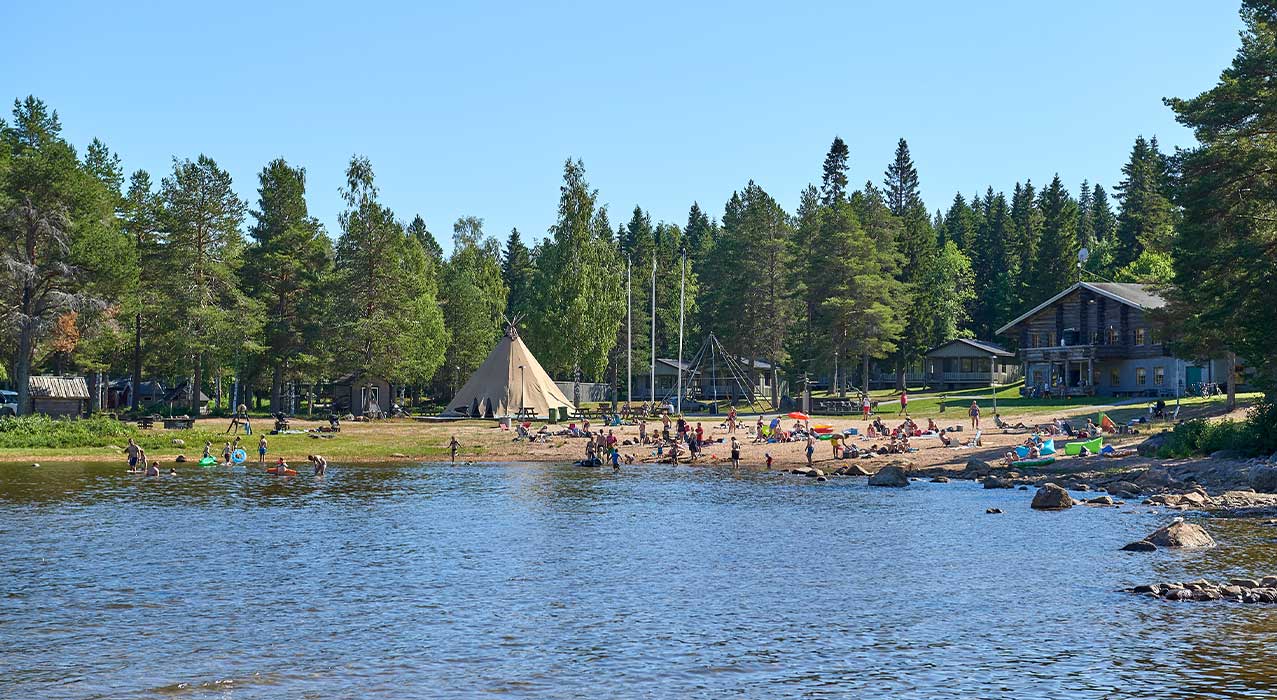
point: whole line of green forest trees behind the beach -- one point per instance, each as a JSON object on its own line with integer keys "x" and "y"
{"x": 128, "y": 277}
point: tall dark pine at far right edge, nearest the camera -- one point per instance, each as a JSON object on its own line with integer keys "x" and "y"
{"x": 1227, "y": 250}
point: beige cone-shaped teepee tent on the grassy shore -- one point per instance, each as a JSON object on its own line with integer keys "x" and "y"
{"x": 500, "y": 388}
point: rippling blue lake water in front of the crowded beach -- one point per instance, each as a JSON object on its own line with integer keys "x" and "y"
{"x": 557, "y": 582}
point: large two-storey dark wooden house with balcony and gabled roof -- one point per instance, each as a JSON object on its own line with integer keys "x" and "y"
{"x": 1096, "y": 338}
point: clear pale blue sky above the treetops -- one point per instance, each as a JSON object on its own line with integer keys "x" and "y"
{"x": 472, "y": 108}
